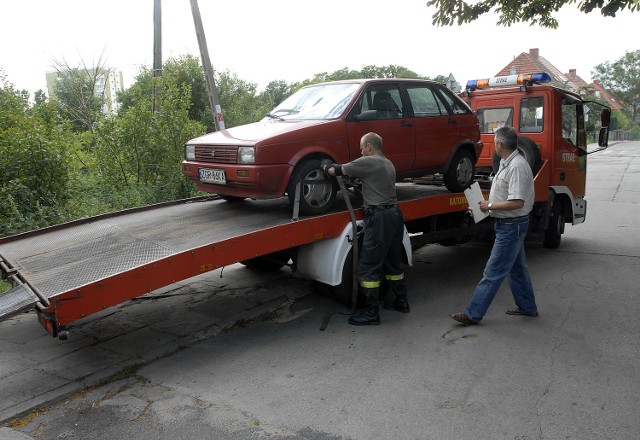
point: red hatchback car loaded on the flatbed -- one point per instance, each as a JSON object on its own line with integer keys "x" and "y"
{"x": 426, "y": 129}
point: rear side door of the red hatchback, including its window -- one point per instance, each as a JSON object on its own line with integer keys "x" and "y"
{"x": 436, "y": 127}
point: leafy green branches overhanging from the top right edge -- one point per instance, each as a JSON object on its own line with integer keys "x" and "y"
{"x": 536, "y": 12}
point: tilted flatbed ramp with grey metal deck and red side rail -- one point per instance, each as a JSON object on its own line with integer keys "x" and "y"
{"x": 73, "y": 270}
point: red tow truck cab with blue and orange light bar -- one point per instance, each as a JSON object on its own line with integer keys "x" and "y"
{"x": 552, "y": 136}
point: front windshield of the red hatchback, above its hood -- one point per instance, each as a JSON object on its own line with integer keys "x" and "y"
{"x": 323, "y": 101}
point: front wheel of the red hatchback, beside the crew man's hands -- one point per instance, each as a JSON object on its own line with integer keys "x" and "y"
{"x": 317, "y": 193}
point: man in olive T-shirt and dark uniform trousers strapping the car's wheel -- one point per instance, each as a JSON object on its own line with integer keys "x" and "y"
{"x": 383, "y": 231}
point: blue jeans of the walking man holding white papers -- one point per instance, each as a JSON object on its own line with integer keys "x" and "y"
{"x": 507, "y": 260}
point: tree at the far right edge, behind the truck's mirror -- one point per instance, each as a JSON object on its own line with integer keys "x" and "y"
{"x": 622, "y": 78}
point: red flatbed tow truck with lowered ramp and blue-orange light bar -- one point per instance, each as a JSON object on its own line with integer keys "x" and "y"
{"x": 70, "y": 271}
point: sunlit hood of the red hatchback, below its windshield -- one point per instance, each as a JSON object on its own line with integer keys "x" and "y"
{"x": 252, "y": 134}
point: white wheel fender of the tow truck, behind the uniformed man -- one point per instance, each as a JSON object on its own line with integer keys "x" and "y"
{"x": 323, "y": 260}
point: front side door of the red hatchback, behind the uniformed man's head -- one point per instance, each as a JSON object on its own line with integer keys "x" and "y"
{"x": 387, "y": 117}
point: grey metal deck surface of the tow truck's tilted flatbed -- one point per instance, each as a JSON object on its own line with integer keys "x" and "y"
{"x": 67, "y": 257}
